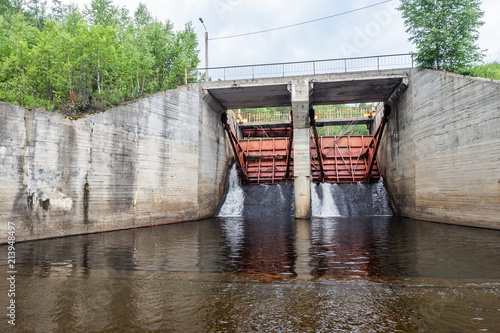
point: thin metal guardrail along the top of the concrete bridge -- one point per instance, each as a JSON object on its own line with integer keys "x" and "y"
{"x": 341, "y": 65}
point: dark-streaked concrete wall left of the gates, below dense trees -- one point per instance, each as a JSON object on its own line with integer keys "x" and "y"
{"x": 155, "y": 160}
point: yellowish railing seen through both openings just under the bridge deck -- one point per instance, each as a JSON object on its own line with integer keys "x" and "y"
{"x": 244, "y": 116}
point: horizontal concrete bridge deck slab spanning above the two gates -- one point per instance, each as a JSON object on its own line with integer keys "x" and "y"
{"x": 337, "y": 88}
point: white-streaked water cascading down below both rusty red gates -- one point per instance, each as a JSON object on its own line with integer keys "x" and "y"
{"x": 327, "y": 200}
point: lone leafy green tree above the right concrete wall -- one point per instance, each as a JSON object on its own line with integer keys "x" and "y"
{"x": 444, "y": 32}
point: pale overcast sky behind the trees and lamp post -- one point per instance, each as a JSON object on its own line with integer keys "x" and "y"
{"x": 376, "y": 30}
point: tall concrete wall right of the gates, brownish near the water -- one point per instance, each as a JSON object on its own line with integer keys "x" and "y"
{"x": 440, "y": 154}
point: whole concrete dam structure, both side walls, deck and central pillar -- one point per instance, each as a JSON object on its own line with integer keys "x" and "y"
{"x": 164, "y": 158}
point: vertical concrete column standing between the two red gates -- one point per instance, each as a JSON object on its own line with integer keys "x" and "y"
{"x": 300, "y": 90}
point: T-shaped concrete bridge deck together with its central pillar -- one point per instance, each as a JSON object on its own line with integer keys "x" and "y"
{"x": 301, "y": 93}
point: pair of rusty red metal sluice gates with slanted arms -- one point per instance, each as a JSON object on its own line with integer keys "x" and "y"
{"x": 334, "y": 159}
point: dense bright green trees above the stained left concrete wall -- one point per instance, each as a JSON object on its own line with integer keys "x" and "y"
{"x": 79, "y": 61}
